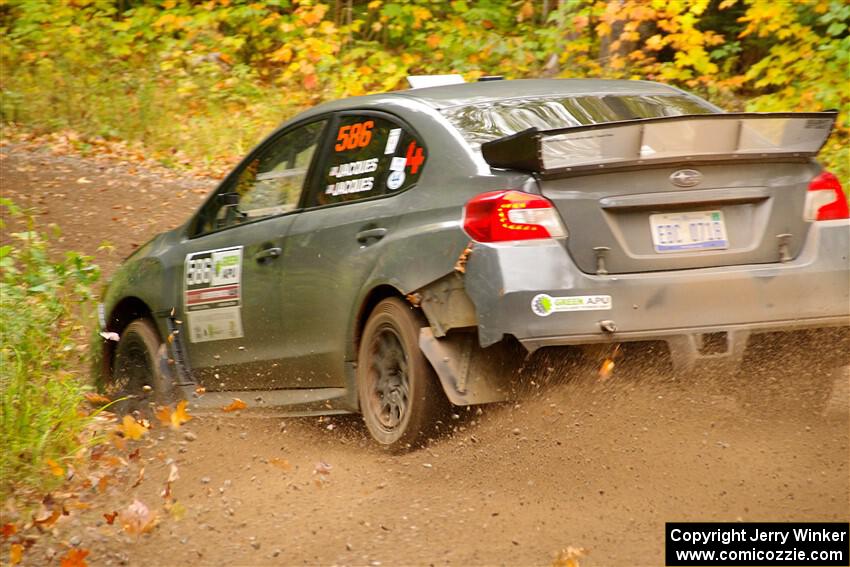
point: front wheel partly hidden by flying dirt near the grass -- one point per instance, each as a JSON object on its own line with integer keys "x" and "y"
{"x": 136, "y": 365}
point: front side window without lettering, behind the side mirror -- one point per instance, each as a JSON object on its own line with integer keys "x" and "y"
{"x": 270, "y": 184}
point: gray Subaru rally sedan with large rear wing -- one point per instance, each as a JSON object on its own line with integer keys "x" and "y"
{"x": 380, "y": 254}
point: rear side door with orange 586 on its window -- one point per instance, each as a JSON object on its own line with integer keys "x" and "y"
{"x": 348, "y": 214}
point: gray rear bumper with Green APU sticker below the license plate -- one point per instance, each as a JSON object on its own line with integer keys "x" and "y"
{"x": 811, "y": 291}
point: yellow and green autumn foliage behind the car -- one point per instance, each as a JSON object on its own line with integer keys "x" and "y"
{"x": 198, "y": 83}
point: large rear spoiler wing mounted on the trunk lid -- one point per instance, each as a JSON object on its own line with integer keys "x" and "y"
{"x": 669, "y": 139}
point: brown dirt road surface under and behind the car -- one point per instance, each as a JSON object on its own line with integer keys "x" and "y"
{"x": 600, "y": 466}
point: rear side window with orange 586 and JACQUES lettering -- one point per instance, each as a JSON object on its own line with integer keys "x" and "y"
{"x": 368, "y": 156}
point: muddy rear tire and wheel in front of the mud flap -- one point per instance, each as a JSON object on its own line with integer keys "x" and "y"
{"x": 399, "y": 395}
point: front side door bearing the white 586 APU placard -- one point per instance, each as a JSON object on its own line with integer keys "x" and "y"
{"x": 233, "y": 265}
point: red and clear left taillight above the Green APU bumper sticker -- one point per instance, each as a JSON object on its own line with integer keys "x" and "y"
{"x": 502, "y": 216}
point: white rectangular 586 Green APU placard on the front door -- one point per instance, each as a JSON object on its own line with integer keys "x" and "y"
{"x": 213, "y": 294}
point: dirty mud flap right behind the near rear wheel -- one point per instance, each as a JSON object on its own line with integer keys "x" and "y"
{"x": 469, "y": 374}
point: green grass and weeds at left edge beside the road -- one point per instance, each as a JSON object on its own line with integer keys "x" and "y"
{"x": 43, "y": 307}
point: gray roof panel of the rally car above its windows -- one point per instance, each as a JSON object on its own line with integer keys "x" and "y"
{"x": 463, "y": 94}
